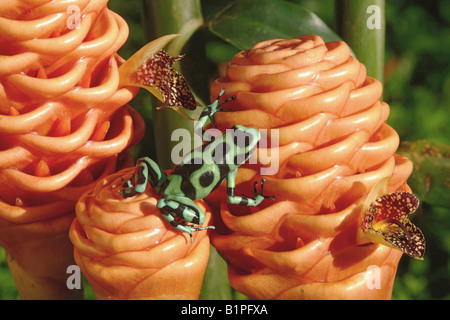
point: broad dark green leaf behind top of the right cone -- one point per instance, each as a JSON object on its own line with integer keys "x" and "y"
{"x": 247, "y": 22}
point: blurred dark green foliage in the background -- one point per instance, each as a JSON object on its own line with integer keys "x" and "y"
{"x": 416, "y": 86}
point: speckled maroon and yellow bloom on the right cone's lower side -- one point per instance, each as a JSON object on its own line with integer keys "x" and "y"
{"x": 386, "y": 220}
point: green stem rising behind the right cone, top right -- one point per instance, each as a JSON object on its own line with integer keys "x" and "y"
{"x": 361, "y": 23}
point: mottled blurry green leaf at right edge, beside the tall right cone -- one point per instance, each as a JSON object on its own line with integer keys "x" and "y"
{"x": 430, "y": 179}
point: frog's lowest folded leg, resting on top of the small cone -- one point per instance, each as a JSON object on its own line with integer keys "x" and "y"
{"x": 179, "y": 211}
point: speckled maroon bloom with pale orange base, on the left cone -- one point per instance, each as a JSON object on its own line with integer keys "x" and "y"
{"x": 152, "y": 68}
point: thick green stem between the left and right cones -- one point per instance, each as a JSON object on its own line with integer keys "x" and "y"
{"x": 163, "y": 17}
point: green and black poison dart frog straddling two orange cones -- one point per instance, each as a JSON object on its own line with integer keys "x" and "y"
{"x": 201, "y": 171}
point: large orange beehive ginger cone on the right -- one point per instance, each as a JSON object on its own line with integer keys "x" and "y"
{"x": 332, "y": 145}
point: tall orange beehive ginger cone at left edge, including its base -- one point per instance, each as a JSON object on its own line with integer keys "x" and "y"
{"x": 64, "y": 124}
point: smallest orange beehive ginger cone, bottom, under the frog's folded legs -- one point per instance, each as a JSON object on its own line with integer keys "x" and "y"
{"x": 127, "y": 250}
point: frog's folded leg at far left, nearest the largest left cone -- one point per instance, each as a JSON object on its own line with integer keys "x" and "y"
{"x": 147, "y": 170}
